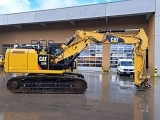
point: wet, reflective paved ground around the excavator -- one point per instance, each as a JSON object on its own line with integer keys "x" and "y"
{"x": 108, "y": 97}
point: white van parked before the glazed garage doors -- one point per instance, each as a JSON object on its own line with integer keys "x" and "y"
{"x": 125, "y": 67}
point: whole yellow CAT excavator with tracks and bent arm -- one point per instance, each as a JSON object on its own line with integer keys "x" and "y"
{"x": 48, "y": 73}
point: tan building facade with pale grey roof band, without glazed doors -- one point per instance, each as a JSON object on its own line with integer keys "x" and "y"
{"x": 60, "y": 24}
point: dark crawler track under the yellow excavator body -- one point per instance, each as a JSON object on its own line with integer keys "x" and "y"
{"x": 64, "y": 84}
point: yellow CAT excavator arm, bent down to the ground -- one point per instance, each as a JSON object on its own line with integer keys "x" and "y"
{"x": 140, "y": 41}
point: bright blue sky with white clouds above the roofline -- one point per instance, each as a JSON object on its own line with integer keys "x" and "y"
{"x": 16, "y": 6}
